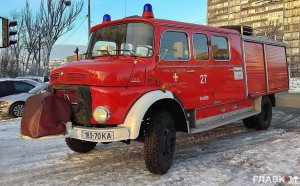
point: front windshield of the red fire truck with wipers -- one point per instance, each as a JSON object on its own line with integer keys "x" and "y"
{"x": 132, "y": 39}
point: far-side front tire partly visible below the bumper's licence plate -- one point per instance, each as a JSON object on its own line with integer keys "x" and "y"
{"x": 80, "y": 145}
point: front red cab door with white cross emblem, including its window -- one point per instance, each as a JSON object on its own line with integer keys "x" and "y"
{"x": 175, "y": 71}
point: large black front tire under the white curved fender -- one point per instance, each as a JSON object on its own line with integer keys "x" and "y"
{"x": 159, "y": 144}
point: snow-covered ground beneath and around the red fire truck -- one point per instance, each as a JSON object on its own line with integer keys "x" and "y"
{"x": 228, "y": 155}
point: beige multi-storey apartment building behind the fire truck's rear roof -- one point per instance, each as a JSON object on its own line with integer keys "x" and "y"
{"x": 273, "y": 19}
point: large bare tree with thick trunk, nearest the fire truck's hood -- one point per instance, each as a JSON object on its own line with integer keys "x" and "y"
{"x": 57, "y": 19}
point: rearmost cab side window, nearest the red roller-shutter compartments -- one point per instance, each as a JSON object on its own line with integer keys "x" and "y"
{"x": 220, "y": 48}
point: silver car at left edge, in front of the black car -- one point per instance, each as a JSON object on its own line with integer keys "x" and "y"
{"x": 14, "y": 104}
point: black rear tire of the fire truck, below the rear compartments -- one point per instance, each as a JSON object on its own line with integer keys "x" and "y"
{"x": 261, "y": 121}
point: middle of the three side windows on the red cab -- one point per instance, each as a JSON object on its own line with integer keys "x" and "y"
{"x": 200, "y": 47}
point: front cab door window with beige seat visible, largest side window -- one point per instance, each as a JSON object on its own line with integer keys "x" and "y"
{"x": 174, "y": 46}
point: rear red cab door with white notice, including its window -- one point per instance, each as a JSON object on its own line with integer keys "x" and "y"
{"x": 227, "y": 69}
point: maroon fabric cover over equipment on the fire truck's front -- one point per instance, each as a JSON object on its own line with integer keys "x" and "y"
{"x": 45, "y": 115}
